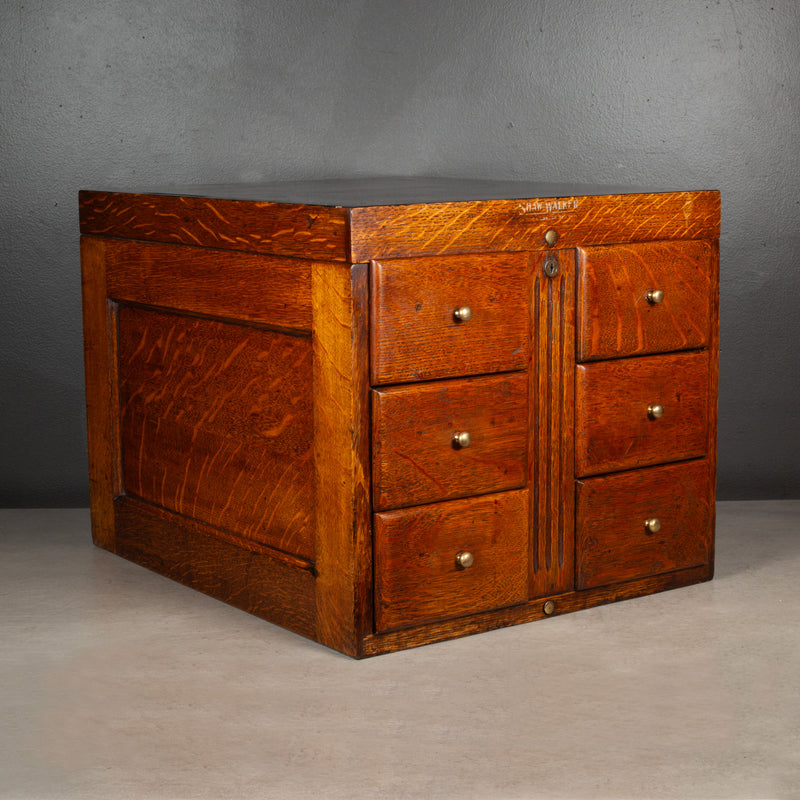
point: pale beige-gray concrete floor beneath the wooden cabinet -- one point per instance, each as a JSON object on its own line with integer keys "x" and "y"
{"x": 117, "y": 683}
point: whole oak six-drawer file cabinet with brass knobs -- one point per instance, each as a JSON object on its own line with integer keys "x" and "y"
{"x": 383, "y": 413}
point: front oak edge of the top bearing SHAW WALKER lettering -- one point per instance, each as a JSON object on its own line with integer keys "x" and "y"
{"x": 519, "y": 225}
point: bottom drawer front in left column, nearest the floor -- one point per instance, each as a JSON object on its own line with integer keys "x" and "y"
{"x": 418, "y": 577}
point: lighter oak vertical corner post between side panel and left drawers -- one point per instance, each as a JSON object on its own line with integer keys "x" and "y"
{"x": 341, "y": 455}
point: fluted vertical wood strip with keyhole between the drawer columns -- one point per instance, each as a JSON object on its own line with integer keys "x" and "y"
{"x": 551, "y": 426}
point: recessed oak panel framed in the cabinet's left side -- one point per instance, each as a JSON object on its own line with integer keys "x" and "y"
{"x": 217, "y": 424}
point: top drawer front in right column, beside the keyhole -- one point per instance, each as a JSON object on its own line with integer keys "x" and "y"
{"x": 615, "y": 317}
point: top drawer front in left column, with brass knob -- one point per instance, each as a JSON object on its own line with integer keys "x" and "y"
{"x": 417, "y": 333}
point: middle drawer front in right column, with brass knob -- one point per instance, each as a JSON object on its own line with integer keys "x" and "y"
{"x": 616, "y": 416}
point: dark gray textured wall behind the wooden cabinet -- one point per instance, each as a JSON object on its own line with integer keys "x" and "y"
{"x": 669, "y": 94}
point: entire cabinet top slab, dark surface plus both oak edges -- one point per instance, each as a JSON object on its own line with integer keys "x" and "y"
{"x": 361, "y": 219}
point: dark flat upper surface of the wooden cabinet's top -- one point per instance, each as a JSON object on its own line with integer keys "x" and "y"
{"x": 351, "y": 193}
